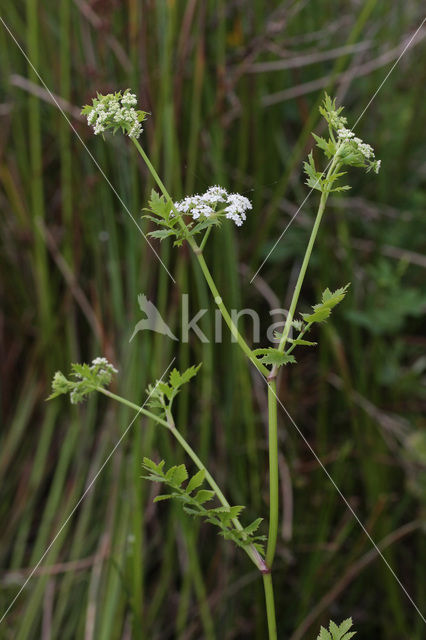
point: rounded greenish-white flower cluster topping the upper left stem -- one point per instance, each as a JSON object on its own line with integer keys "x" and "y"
{"x": 114, "y": 111}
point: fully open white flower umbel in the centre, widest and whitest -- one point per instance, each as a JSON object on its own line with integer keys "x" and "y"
{"x": 215, "y": 201}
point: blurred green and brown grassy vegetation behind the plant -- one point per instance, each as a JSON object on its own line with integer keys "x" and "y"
{"x": 233, "y": 89}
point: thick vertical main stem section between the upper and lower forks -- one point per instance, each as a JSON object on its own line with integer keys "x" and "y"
{"x": 273, "y": 472}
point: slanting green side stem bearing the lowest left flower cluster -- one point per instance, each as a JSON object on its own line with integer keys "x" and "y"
{"x": 251, "y": 551}
